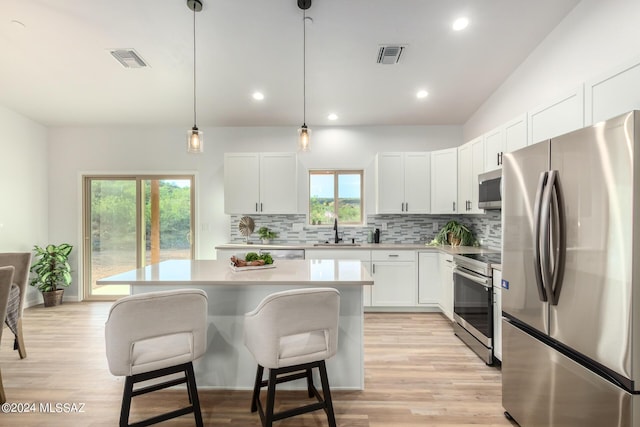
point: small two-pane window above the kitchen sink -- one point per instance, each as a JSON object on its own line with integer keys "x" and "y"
{"x": 335, "y": 194}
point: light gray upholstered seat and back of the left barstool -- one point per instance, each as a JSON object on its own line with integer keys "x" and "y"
{"x": 156, "y": 330}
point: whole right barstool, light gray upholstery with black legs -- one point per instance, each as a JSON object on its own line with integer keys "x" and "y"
{"x": 290, "y": 333}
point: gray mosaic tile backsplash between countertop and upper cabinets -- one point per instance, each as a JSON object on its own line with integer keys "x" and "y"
{"x": 399, "y": 228}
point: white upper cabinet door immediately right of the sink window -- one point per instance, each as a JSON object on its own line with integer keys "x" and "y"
{"x": 389, "y": 183}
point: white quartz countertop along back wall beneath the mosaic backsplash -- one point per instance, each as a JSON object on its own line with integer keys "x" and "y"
{"x": 453, "y": 250}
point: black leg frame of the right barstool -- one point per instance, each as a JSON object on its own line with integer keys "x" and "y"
{"x": 279, "y": 375}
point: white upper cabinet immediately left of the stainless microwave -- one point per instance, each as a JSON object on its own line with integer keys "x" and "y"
{"x": 470, "y": 164}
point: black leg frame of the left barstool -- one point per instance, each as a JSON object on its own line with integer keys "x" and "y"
{"x": 189, "y": 378}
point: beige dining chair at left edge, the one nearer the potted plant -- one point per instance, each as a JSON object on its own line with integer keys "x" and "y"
{"x": 21, "y": 262}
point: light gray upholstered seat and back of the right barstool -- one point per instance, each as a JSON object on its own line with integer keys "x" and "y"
{"x": 293, "y": 327}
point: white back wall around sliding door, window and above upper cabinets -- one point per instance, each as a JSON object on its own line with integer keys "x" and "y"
{"x": 75, "y": 151}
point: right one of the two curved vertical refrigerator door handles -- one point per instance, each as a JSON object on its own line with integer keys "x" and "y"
{"x": 559, "y": 217}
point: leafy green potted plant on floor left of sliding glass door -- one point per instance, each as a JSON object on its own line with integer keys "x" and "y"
{"x": 52, "y": 272}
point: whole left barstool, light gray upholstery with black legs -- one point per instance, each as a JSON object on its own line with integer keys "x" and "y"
{"x": 155, "y": 335}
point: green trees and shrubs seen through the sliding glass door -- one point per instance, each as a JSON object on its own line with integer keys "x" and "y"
{"x": 113, "y": 219}
